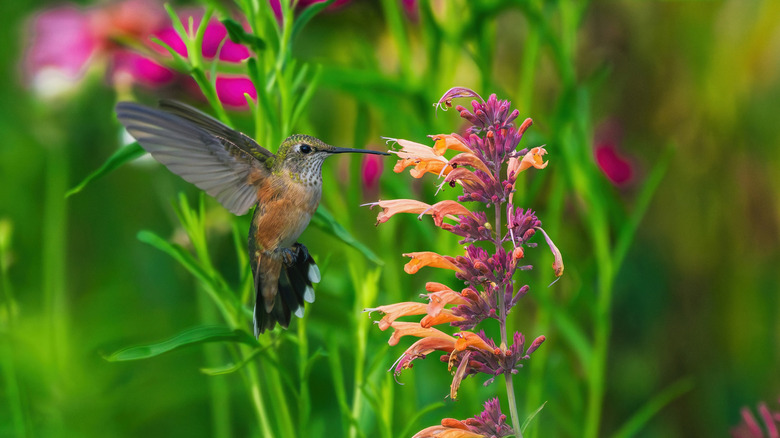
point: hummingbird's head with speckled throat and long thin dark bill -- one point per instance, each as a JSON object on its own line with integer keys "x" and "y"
{"x": 302, "y": 156}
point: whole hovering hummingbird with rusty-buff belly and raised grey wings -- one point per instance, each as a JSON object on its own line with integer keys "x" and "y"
{"x": 285, "y": 188}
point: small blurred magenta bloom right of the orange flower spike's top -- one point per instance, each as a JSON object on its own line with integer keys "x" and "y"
{"x": 612, "y": 163}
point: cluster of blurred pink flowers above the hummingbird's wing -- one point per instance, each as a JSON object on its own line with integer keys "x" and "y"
{"x": 65, "y": 41}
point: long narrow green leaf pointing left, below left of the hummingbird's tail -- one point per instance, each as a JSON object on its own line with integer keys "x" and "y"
{"x": 193, "y": 336}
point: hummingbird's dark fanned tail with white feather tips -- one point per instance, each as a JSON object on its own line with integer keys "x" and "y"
{"x": 293, "y": 287}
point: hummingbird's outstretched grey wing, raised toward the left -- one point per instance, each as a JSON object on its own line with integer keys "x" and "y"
{"x": 224, "y": 163}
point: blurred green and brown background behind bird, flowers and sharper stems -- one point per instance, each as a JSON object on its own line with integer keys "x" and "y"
{"x": 694, "y": 306}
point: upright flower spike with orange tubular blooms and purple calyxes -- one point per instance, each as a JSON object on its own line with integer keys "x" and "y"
{"x": 485, "y": 164}
